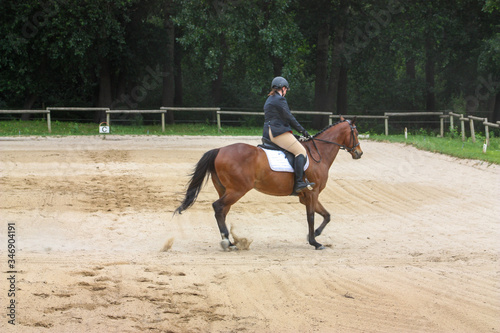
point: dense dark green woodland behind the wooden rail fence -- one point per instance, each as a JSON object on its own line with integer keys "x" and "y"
{"x": 341, "y": 56}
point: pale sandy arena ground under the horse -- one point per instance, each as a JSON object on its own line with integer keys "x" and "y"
{"x": 413, "y": 245}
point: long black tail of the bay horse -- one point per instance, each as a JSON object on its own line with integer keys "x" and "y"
{"x": 203, "y": 169}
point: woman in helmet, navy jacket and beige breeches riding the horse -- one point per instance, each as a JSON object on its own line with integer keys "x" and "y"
{"x": 278, "y": 125}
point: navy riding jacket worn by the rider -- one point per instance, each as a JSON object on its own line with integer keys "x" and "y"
{"x": 277, "y": 115}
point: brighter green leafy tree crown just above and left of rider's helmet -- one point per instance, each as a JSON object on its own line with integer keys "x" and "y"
{"x": 244, "y": 45}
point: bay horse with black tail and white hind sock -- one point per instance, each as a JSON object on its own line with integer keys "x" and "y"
{"x": 236, "y": 169}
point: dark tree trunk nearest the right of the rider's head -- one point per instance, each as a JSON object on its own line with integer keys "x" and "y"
{"x": 320, "y": 89}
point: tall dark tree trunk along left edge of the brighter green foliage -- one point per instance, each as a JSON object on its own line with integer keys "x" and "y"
{"x": 168, "y": 92}
